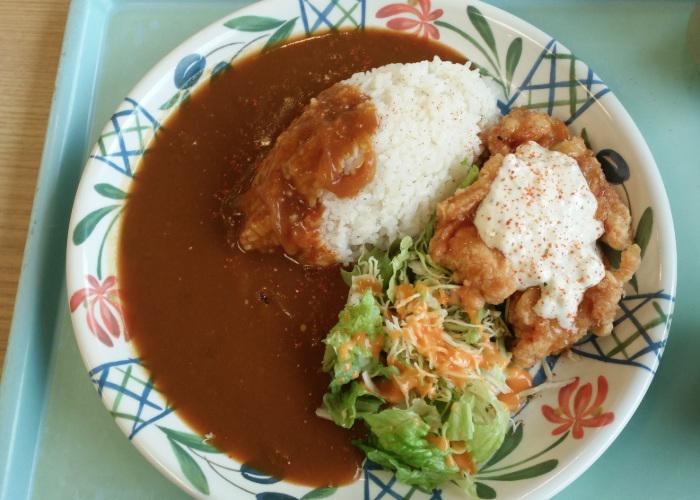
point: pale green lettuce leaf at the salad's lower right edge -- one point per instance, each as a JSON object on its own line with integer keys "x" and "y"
{"x": 479, "y": 419}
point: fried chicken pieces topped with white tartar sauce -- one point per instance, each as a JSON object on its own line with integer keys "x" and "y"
{"x": 558, "y": 285}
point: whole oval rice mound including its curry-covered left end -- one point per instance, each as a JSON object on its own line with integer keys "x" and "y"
{"x": 366, "y": 161}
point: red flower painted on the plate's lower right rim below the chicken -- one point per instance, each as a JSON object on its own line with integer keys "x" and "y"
{"x": 582, "y": 413}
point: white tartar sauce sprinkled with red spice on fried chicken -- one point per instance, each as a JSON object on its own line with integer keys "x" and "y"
{"x": 540, "y": 214}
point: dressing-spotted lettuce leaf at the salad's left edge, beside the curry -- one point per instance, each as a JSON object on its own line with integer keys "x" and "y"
{"x": 345, "y": 357}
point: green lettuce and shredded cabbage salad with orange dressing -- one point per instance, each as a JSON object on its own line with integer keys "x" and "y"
{"x": 421, "y": 375}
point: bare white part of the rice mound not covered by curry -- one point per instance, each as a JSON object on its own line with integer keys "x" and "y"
{"x": 430, "y": 114}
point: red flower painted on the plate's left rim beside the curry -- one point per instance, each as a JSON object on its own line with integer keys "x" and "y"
{"x": 104, "y": 311}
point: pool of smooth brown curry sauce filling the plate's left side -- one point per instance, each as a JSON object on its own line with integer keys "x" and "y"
{"x": 233, "y": 339}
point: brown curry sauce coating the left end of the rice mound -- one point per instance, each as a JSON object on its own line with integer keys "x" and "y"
{"x": 328, "y": 147}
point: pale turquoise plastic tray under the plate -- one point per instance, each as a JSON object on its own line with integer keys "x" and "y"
{"x": 56, "y": 439}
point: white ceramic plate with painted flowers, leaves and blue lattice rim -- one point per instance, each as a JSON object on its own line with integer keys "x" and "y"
{"x": 561, "y": 431}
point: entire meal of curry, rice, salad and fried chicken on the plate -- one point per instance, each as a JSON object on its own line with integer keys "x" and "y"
{"x": 381, "y": 227}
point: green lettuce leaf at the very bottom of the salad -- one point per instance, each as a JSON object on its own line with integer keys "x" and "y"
{"x": 398, "y": 441}
